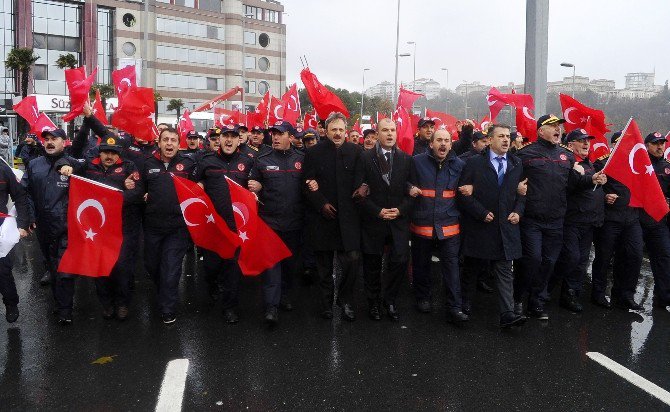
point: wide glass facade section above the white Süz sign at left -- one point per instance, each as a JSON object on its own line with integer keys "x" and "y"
{"x": 56, "y": 31}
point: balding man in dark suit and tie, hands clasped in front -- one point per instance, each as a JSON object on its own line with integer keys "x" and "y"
{"x": 385, "y": 213}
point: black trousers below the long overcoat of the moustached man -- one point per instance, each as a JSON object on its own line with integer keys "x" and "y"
{"x": 349, "y": 263}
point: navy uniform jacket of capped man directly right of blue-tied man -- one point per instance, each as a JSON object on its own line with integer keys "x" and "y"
{"x": 548, "y": 168}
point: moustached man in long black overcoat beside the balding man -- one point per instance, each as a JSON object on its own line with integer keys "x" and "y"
{"x": 332, "y": 163}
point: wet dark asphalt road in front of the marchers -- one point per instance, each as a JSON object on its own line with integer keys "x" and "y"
{"x": 307, "y": 363}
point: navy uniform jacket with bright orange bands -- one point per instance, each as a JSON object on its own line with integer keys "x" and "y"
{"x": 435, "y": 211}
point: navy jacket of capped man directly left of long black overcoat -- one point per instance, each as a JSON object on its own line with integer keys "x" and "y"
{"x": 280, "y": 173}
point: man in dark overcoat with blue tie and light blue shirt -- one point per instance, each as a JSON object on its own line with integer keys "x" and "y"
{"x": 490, "y": 219}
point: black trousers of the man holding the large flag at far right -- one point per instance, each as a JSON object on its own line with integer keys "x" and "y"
{"x": 624, "y": 242}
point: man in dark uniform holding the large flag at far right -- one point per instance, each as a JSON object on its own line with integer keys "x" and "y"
{"x": 621, "y": 237}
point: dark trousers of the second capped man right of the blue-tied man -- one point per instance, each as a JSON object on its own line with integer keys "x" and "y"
{"x": 570, "y": 269}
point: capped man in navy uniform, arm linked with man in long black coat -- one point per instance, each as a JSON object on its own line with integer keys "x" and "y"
{"x": 277, "y": 178}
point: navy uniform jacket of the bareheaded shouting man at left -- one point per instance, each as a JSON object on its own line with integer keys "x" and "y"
{"x": 162, "y": 210}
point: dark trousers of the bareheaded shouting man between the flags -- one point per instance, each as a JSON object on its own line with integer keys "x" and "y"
{"x": 164, "y": 251}
